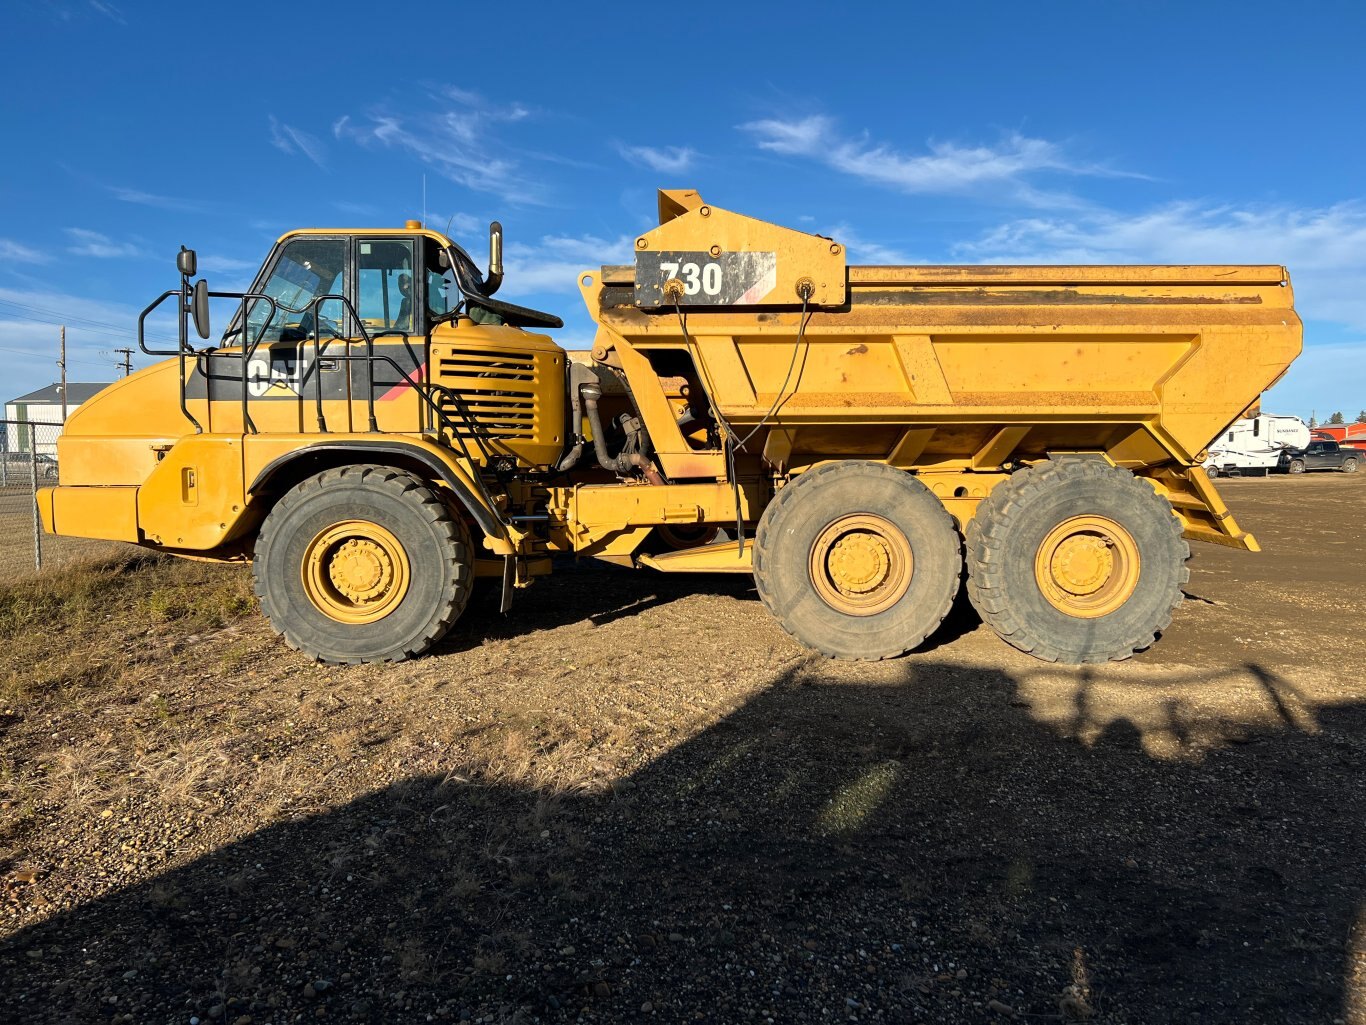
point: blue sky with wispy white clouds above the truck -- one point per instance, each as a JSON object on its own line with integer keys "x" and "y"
{"x": 919, "y": 133}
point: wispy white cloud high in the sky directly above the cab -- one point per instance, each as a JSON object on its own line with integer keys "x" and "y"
{"x": 458, "y": 139}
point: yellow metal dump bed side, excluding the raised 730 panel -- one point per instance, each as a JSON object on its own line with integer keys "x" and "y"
{"x": 1148, "y": 363}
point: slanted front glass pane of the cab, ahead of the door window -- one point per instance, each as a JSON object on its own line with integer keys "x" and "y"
{"x": 307, "y": 269}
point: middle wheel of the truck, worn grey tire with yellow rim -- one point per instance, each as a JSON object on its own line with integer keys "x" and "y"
{"x": 859, "y": 561}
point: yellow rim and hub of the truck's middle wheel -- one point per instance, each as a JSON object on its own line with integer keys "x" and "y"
{"x": 861, "y": 565}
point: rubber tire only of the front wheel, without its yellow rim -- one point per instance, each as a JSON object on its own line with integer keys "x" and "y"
{"x": 438, "y": 547}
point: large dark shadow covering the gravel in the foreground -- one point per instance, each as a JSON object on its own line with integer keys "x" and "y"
{"x": 831, "y": 851}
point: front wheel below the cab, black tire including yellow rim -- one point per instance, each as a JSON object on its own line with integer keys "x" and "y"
{"x": 363, "y": 564}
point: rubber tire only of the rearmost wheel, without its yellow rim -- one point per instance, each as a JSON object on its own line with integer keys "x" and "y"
{"x": 1013, "y": 523}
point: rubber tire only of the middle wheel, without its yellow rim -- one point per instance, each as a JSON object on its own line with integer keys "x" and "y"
{"x": 800, "y": 515}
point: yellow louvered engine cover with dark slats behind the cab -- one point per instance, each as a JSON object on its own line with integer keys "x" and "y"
{"x": 506, "y": 402}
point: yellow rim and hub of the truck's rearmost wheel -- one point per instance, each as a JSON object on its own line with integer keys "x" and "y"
{"x": 1088, "y": 566}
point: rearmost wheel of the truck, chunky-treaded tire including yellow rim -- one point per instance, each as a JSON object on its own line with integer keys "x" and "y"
{"x": 1076, "y": 561}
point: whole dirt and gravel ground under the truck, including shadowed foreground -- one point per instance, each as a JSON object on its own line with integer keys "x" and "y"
{"x": 636, "y": 799}
